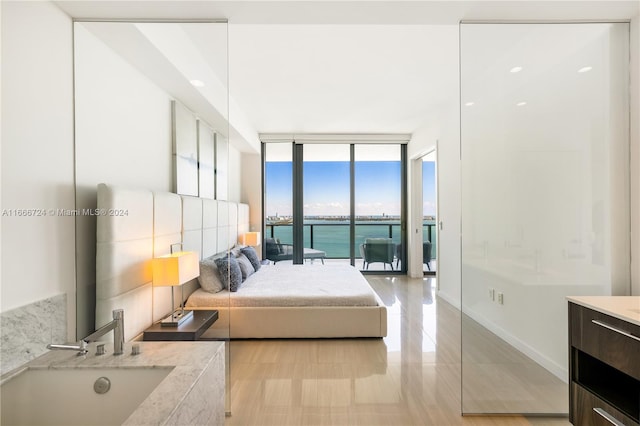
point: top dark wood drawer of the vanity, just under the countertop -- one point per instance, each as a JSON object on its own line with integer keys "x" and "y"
{"x": 609, "y": 339}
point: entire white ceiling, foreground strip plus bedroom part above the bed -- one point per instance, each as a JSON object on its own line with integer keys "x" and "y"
{"x": 342, "y": 67}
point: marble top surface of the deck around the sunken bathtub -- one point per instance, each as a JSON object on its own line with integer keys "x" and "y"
{"x": 188, "y": 361}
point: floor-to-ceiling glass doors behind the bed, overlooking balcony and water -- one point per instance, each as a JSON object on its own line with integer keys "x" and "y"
{"x": 351, "y": 198}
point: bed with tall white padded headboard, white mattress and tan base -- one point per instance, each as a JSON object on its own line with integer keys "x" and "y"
{"x": 154, "y": 221}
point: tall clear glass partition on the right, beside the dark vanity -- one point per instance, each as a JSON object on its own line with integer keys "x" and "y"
{"x": 544, "y": 143}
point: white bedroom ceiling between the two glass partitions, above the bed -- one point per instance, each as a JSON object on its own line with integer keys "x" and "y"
{"x": 341, "y": 78}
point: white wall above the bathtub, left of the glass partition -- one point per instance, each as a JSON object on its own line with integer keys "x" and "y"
{"x": 37, "y": 155}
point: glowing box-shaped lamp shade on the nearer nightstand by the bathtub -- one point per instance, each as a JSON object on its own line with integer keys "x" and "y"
{"x": 175, "y": 269}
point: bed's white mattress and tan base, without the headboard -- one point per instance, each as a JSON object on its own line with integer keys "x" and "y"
{"x": 297, "y": 301}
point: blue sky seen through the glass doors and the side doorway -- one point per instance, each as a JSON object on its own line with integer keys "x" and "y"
{"x": 326, "y": 188}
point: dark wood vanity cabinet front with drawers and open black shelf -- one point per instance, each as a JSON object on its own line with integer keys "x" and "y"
{"x": 604, "y": 369}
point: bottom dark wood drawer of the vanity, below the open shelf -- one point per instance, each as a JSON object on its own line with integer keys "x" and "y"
{"x": 589, "y": 410}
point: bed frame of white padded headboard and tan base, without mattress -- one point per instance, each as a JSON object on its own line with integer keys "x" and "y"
{"x": 150, "y": 222}
